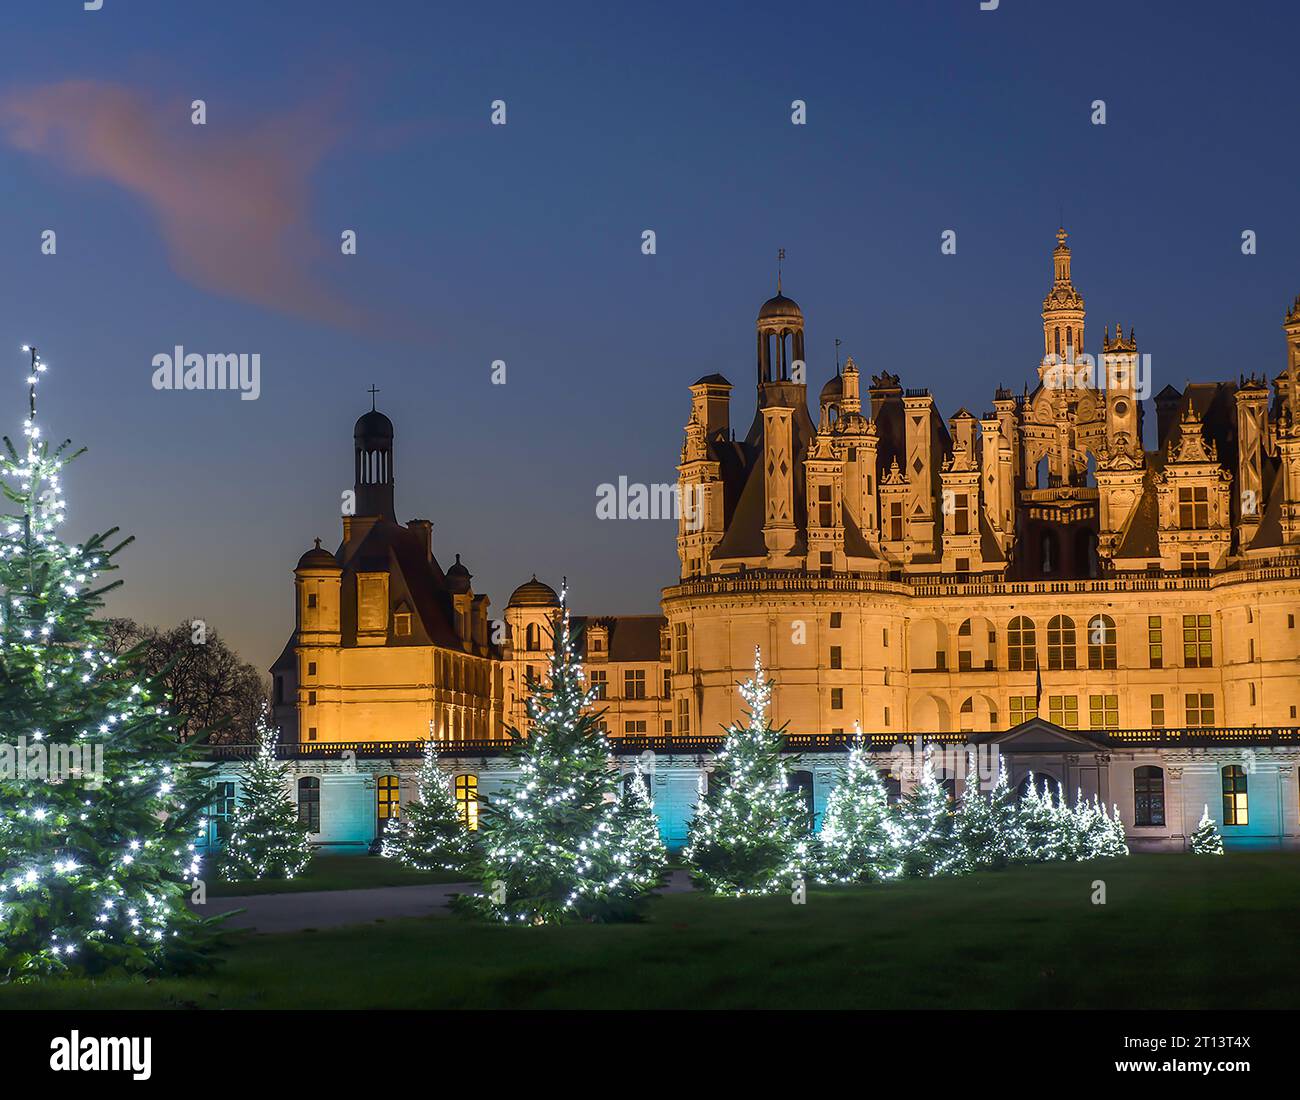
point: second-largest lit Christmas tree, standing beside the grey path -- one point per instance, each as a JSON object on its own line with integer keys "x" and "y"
{"x": 556, "y": 847}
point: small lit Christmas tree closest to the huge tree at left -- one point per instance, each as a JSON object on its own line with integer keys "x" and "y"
{"x": 267, "y": 839}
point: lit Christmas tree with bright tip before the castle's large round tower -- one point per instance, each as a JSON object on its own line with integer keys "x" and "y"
{"x": 751, "y": 834}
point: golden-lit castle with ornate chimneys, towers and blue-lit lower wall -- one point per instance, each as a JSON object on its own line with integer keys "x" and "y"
{"x": 1121, "y": 621}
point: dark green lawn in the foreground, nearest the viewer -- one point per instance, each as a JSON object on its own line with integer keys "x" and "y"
{"x": 1177, "y": 932}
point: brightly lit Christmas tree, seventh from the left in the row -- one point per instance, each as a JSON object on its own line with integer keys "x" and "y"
{"x": 859, "y": 838}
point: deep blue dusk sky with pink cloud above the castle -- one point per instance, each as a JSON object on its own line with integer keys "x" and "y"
{"x": 523, "y": 244}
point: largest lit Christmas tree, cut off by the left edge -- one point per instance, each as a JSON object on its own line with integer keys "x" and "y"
{"x": 99, "y": 822}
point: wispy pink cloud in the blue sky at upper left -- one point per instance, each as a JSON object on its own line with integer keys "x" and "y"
{"x": 232, "y": 205}
